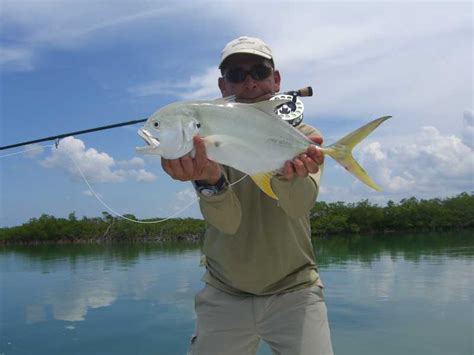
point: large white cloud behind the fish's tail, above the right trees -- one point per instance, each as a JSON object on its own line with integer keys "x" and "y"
{"x": 426, "y": 164}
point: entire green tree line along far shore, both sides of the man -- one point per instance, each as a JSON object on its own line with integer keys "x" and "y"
{"x": 335, "y": 218}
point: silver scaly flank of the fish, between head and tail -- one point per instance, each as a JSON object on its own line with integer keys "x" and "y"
{"x": 247, "y": 138}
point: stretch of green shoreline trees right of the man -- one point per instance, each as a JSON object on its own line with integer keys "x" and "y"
{"x": 409, "y": 214}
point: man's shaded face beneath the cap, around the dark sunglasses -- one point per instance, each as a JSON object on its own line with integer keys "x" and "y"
{"x": 250, "y": 90}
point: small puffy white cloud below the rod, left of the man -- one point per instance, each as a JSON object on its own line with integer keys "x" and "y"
{"x": 72, "y": 155}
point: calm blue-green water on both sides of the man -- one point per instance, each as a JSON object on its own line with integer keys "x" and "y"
{"x": 410, "y": 294}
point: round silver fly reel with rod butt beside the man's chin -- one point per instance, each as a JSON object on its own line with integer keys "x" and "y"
{"x": 292, "y": 110}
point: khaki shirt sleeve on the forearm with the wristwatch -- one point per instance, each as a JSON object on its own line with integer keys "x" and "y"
{"x": 222, "y": 210}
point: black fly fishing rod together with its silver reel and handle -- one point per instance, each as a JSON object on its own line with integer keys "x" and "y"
{"x": 292, "y": 112}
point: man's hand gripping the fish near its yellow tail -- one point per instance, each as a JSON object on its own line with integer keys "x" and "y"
{"x": 307, "y": 162}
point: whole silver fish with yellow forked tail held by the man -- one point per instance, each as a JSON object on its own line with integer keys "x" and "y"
{"x": 248, "y": 137}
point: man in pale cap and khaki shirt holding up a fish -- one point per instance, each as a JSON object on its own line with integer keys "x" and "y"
{"x": 261, "y": 278}
